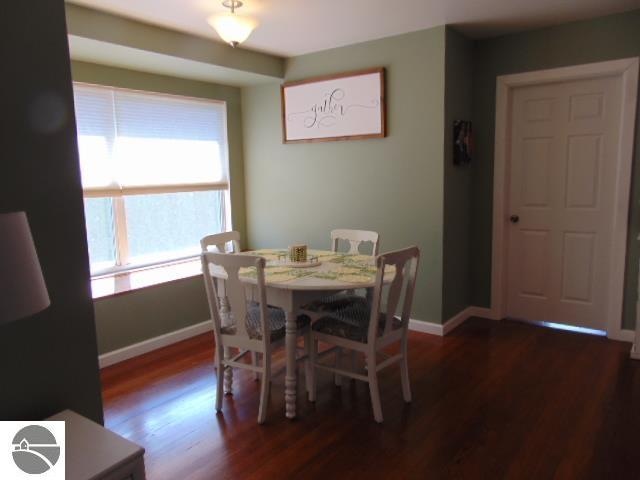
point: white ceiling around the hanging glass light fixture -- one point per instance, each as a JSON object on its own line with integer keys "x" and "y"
{"x": 295, "y": 27}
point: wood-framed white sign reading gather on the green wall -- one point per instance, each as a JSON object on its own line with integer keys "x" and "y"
{"x": 348, "y": 106}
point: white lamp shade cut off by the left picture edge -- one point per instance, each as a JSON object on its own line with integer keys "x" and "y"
{"x": 22, "y": 288}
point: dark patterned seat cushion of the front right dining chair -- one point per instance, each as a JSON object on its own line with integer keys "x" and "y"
{"x": 352, "y": 323}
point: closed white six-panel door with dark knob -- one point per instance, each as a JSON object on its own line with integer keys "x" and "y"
{"x": 563, "y": 151}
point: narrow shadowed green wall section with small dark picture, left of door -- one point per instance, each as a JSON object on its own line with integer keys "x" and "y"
{"x": 456, "y": 277}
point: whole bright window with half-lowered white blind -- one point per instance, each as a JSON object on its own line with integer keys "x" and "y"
{"x": 154, "y": 173}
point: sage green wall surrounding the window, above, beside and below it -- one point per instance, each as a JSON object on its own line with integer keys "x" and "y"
{"x": 142, "y": 314}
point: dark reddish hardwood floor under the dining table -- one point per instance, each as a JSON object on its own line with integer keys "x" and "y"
{"x": 492, "y": 400}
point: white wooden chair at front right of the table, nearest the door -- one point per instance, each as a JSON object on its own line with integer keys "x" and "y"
{"x": 370, "y": 330}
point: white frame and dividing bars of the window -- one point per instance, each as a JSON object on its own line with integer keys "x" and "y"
{"x": 117, "y": 195}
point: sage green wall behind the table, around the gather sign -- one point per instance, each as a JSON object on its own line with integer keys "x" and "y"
{"x": 299, "y": 192}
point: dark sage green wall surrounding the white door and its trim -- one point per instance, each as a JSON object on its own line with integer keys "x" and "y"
{"x": 606, "y": 38}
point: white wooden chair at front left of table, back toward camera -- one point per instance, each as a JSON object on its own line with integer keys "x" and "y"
{"x": 244, "y": 326}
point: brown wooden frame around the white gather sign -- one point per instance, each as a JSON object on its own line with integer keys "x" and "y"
{"x": 381, "y": 106}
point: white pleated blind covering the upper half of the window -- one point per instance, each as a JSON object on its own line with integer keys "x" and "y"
{"x": 138, "y": 143}
